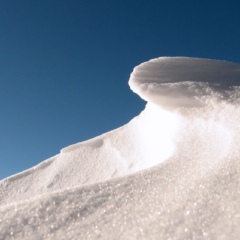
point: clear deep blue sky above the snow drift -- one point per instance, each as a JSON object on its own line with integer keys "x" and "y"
{"x": 64, "y": 65}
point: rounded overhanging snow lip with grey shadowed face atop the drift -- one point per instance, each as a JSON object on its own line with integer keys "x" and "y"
{"x": 184, "y": 82}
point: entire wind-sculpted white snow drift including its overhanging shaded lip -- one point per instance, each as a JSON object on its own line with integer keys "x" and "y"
{"x": 172, "y": 172}
